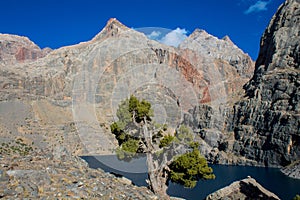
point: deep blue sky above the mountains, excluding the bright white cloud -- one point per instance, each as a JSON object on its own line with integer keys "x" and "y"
{"x": 56, "y": 23}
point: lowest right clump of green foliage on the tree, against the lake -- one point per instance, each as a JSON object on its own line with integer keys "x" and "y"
{"x": 188, "y": 168}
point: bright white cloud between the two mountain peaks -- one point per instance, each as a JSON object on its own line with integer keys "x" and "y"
{"x": 175, "y": 37}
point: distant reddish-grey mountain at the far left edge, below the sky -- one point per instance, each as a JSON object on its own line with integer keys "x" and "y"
{"x": 14, "y": 49}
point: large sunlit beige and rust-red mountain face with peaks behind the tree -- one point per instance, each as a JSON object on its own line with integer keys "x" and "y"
{"x": 195, "y": 83}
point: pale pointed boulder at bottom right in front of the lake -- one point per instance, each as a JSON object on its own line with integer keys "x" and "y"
{"x": 247, "y": 188}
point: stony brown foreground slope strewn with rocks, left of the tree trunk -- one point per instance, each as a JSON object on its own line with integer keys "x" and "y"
{"x": 58, "y": 175}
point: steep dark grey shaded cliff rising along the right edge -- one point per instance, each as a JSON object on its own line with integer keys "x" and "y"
{"x": 266, "y": 124}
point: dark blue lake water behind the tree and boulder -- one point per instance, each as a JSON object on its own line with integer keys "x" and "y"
{"x": 135, "y": 170}
